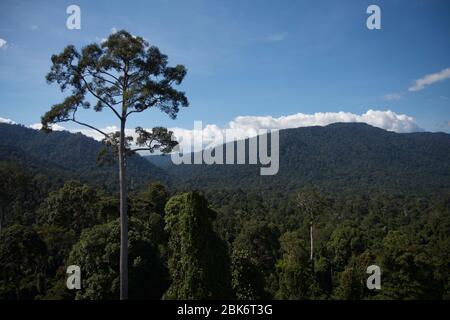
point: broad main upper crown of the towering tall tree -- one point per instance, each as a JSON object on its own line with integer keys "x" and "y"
{"x": 124, "y": 72}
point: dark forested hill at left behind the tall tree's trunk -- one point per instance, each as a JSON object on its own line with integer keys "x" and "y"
{"x": 64, "y": 155}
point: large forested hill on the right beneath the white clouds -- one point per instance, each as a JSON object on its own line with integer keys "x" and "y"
{"x": 341, "y": 157}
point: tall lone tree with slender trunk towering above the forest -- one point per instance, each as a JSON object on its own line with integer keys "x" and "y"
{"x": 125, "y": 75}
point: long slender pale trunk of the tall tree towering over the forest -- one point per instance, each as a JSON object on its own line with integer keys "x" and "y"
{"x": 123, "y": 217}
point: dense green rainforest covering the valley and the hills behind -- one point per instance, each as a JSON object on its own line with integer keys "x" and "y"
{"x": 197, "y": 235}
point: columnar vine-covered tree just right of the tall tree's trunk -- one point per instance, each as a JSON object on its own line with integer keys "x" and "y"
{"x": 197, "y": 258}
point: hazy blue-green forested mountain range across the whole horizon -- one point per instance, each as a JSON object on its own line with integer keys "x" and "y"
{"x": 341, "y": 157}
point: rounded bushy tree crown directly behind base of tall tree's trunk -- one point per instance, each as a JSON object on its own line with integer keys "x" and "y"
{"x": 97, "y": 253}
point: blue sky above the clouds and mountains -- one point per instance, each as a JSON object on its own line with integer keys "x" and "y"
{"x": 246, "y": 58}
